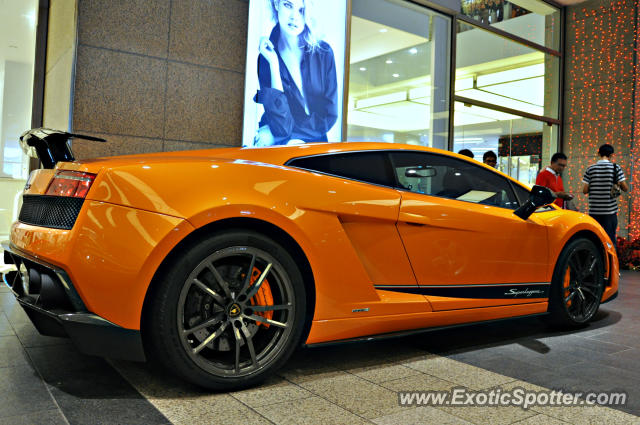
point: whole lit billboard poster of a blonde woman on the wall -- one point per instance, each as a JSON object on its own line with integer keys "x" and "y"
{"x": 294, "y": 73}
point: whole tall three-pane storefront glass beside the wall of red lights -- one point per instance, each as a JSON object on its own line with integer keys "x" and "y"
{"x": 507, "y": 84}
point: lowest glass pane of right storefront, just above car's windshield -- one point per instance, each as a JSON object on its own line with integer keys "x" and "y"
{"x": 522, "y": 145}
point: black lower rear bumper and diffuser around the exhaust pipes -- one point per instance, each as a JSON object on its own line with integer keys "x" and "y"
{"x": 89, "y": 332}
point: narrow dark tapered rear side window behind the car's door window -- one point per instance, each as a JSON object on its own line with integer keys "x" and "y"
{"x": 370, "y": 167}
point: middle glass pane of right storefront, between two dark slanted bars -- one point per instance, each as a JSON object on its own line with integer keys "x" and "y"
{"x": 495, "y": 70}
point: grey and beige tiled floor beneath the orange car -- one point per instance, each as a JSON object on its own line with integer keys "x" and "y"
{"x": 45, "y": 380}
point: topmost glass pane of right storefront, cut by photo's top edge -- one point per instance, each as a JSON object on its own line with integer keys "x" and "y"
{"x": 533, "y": 20}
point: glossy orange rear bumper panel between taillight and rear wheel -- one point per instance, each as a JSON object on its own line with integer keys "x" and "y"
{"x": 110, "y": 255}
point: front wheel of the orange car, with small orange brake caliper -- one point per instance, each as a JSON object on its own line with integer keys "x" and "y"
{"x": 577, "y": 285}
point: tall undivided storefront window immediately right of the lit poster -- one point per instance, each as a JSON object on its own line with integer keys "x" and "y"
{"x": 399, "y": 74}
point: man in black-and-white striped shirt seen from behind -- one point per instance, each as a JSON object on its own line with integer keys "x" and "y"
{"x": 597, "y": 182}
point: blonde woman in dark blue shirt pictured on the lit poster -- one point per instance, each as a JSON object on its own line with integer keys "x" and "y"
{"x": 297, "y": 78}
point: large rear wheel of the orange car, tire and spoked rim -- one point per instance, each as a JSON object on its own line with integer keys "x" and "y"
{"x": 205, "y": 322}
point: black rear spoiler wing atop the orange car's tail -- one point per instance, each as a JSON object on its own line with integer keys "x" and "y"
{"x": 50, "y": 146}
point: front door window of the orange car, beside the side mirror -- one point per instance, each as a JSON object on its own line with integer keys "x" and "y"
{"x": 439, "y": 175}
